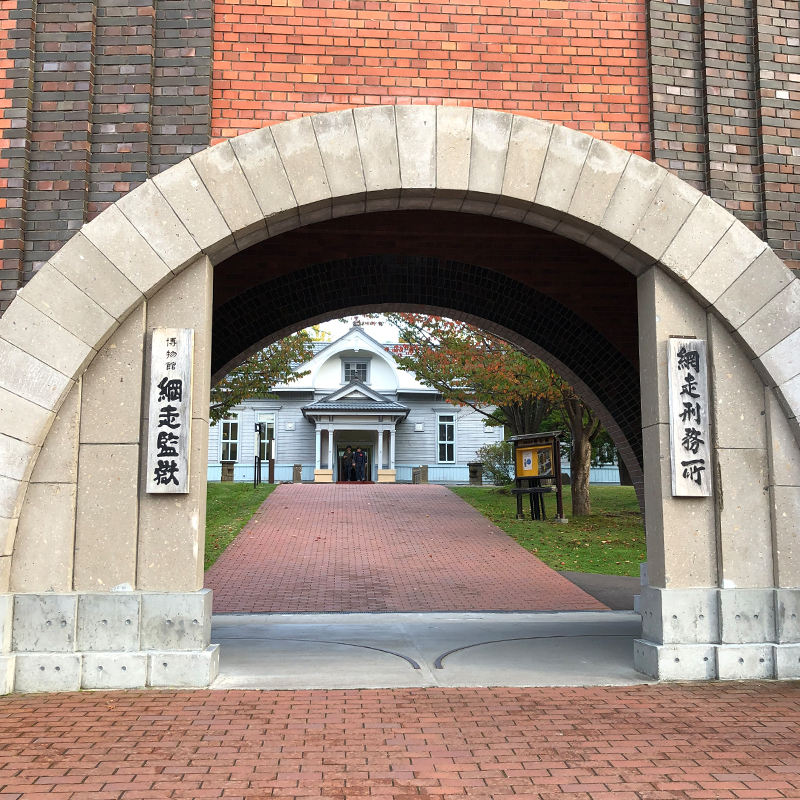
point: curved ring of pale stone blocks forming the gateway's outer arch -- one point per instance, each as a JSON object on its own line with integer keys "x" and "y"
{"x": 677, "y": 241}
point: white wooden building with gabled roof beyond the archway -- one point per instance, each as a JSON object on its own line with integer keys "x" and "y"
{"x": 354, "y": 394}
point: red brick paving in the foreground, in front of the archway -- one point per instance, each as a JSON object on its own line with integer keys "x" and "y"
{"x": 646, "y": 742}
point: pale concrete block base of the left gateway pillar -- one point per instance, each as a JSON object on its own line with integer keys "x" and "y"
{"x": 116, "y": 640}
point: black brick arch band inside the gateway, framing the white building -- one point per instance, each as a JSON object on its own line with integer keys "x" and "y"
{"x": 541, "y": 325}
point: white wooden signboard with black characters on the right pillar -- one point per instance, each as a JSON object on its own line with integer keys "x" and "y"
{"x": 689, "y": 429}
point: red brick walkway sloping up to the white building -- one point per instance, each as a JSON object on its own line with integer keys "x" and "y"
{"x": 381, "y": 548}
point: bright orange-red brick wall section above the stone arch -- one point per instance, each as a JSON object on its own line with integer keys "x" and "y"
{"x": 581, "y": 63}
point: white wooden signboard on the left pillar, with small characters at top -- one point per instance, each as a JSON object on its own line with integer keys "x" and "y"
{"x": 170, "y": 413}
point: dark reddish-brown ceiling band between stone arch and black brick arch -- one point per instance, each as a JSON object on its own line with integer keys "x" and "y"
{"x": 590, "y": 285}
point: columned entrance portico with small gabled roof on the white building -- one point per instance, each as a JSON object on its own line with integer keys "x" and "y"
{"x": 362, "y": 413}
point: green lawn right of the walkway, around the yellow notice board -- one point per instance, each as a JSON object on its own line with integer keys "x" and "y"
{"x": 610, "y": 541}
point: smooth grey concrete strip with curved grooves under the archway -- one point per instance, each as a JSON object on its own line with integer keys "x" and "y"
{"x": 356, "y": 651}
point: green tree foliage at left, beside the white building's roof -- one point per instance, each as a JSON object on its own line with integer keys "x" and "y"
{"x": 265, "y": 369}
